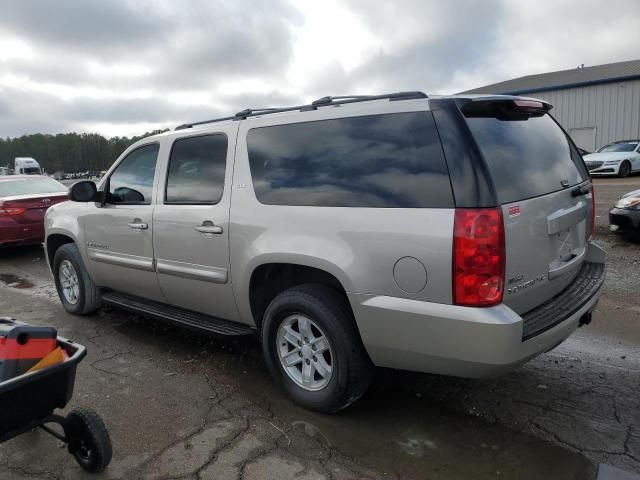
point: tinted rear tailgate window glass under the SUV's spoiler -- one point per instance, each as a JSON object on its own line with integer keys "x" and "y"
{"x": 527, "y": 157}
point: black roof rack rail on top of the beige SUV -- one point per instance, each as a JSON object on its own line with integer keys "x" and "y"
{"x": 321, "y": 102}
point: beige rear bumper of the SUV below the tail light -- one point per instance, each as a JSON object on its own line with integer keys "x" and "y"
{"x": 464, "y": 341}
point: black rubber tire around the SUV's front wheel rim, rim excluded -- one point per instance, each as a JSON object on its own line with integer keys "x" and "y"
{"x": 89, "y": 298}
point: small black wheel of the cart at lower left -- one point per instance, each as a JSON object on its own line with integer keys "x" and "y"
{"x": 89, "y": 440}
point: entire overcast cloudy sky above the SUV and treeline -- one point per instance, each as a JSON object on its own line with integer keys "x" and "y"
{"x": 122, "y": 67}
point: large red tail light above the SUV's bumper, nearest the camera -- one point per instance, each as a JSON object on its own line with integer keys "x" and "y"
{"x": 478, "y": 257}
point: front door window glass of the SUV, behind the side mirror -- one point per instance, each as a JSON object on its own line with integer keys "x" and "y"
{"x": 132, "y": 181}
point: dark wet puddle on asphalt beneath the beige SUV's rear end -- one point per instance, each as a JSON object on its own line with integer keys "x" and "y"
{"x": 392, "y": 431}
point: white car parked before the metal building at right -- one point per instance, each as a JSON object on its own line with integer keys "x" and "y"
{"x": 618, "y": 158}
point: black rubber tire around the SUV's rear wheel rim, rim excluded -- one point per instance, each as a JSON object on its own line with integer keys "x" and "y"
{"x": 352, "y": 368}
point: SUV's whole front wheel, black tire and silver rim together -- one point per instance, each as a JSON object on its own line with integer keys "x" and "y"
{"x": 77, "y": 292}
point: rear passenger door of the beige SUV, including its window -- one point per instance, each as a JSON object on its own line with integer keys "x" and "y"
{"x": 191, "y": 224}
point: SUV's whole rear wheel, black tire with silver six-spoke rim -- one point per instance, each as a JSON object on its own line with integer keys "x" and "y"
{"x": 312, "y": 348}
